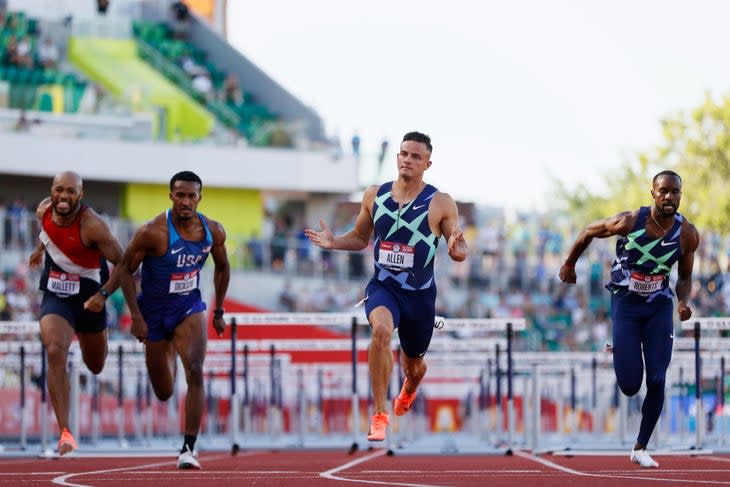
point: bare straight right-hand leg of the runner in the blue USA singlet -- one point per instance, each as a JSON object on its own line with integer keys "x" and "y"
{"x": 190, "y": 341}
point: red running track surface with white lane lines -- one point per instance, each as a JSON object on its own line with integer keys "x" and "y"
{"x": 322, "y": 468}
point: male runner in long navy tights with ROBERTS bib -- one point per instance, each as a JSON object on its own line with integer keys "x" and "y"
{"x": 652, "y": 240}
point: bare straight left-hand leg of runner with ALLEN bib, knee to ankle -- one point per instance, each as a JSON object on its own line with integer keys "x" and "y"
{"x": 380, "y": 355}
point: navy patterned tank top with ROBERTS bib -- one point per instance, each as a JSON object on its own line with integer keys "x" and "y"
{"x": 643, "y": 263}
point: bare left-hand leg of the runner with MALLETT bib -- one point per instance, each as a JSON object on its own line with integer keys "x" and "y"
{"x": 57, "y": 334}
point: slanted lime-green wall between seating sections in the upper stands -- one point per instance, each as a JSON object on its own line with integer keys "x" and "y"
{"x": 115, "y": 65}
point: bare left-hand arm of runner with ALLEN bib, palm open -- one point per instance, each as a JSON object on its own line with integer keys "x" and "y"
{"x": 356, "y": 239}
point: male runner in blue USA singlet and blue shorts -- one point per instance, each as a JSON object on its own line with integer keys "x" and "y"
{"x": 168, "y": 314}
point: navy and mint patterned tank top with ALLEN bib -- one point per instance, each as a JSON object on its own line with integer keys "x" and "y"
{"x": 404, "y": 247}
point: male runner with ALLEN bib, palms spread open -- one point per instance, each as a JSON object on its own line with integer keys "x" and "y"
{"x": 408, "y": 216}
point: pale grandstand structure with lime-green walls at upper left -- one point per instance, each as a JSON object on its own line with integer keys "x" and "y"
{"x": 126, "y": 149}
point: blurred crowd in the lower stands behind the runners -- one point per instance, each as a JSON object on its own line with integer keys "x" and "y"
{"x": 511, "y": 272}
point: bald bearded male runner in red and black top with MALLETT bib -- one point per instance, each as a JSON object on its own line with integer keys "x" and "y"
{"x": 77, "y": 244}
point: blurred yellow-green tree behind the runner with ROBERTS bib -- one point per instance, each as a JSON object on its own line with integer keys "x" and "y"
{"x": 696, "y": 145}
